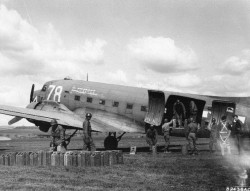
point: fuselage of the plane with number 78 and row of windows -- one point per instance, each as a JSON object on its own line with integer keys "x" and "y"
{"x": 140, "y": 106}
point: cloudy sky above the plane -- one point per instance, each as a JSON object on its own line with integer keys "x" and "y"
{"x": 186, "y": 46}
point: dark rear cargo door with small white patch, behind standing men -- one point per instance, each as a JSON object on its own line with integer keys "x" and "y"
{"x": 223, "y": 108}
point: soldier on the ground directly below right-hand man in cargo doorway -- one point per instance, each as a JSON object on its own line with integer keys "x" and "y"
{"x": 192, "y": 135}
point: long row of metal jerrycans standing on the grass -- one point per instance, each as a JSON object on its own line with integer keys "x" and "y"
{"x": 69, "y": 158}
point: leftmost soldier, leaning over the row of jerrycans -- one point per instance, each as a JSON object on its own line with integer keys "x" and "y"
{"x": 58, "y": 137}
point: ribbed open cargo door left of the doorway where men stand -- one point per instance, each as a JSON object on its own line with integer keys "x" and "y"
{"x": 156, "y": 107}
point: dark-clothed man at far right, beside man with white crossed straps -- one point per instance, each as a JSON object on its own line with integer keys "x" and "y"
{"x": 236, "y": 132}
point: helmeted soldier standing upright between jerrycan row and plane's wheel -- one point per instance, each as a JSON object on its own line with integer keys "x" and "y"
{"x": 88, "y": 143}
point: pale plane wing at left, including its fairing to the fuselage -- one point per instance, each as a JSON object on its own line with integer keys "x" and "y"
{"x": 102, "y": 121}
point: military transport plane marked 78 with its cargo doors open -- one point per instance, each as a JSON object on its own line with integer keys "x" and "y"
{"x": 122, "y": 109}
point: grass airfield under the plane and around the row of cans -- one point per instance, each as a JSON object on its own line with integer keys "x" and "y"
{"x": 142, "y": 171}
